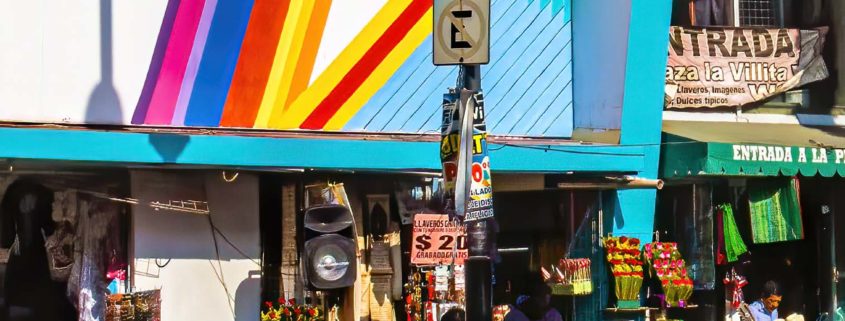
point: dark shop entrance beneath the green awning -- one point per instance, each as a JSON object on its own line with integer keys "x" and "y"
{"x": 806, "y": 266}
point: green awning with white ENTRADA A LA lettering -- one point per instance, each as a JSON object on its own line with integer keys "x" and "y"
{"x": 751, "y": 149}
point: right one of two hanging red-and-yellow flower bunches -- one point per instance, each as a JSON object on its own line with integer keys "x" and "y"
{"x": 667, "y": 264}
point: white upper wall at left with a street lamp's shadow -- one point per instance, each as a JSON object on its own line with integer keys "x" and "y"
{"x": 51, "y": 67}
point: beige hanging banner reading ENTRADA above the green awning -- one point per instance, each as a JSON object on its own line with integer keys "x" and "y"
{"x": 716, "y": 67}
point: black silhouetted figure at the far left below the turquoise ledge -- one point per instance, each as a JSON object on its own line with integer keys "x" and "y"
{"x": 25, "y": 219}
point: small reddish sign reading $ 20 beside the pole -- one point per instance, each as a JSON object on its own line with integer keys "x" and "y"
{"x": 437, "y": 240}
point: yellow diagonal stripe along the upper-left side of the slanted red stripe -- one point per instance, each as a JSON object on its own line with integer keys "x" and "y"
{"x": 303, "y": 105}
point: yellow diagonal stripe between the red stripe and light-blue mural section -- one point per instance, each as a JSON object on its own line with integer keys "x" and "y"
{"x": 382, "y": 73}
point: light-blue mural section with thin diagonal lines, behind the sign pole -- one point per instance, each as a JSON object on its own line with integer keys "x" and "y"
{"x": 530, "y": 69}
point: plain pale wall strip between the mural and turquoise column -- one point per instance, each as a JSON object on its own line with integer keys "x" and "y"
{"x": 600, "y": 44}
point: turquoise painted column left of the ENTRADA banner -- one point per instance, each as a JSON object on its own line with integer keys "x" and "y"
{"x": 642, "y": 112}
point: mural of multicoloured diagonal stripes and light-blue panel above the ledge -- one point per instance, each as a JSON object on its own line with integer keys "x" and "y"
{"x": 253, "y": 63}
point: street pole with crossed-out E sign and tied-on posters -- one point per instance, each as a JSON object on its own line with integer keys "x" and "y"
{"x": 461, "y": 37}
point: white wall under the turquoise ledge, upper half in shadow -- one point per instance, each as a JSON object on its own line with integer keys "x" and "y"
{"x": 189, "y": 285}
